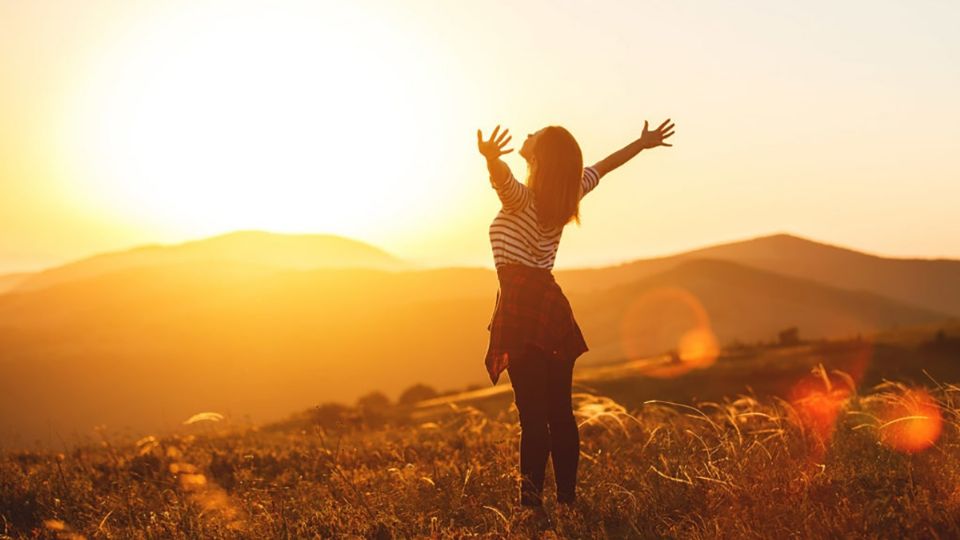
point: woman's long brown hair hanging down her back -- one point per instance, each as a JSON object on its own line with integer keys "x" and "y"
{"x": 555, "y": 177}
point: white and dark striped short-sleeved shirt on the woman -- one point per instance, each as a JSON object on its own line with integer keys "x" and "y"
{"x": 515, "y": 234}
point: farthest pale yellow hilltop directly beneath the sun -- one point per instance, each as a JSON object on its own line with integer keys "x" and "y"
{"x": 286, "y": 251}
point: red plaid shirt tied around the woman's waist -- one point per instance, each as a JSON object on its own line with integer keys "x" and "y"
{"x": 530, "y": 308}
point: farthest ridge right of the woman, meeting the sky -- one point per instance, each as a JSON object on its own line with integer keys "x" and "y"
{"x": 930, "y": 283}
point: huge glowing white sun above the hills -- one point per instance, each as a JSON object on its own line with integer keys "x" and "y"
{"x": 301, "y": 118}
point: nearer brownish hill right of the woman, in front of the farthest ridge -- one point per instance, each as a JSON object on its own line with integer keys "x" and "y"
{"x": 740, "y": 303}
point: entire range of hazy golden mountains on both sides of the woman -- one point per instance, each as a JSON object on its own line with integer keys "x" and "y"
{"x": 251, "y": 324}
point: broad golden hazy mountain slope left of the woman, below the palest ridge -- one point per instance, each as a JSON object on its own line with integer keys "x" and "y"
{"x": 143, "y": 347}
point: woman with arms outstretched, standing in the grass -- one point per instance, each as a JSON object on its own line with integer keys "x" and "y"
{"x": 533, "y": 334}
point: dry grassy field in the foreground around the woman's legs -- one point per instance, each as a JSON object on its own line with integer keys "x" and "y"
{"x": 827, "y": 458}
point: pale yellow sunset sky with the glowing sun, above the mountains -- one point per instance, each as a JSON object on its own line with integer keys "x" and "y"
{"x": 126, "y": 123}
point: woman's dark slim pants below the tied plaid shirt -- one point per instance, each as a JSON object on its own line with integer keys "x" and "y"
{"x": 541, "y": 387}
